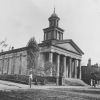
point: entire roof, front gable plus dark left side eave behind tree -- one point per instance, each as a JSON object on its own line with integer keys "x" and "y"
{"x": 67, "y": 45}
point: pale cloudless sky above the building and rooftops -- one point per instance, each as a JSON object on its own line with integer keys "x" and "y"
{"x": 22, "y": 19}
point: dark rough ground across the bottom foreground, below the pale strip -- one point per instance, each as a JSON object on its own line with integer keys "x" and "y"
{"x": 31, "y": 94}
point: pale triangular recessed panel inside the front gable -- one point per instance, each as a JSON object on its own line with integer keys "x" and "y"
{"x": 68, "y": 46}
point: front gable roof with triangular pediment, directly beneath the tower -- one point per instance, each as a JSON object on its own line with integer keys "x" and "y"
{"x": 67, "y": 45}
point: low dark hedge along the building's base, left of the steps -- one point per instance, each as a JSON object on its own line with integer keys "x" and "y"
{"x": 25, "y": 79}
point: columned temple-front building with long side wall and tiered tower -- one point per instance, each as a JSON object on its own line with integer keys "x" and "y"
{"x": 64, "y": 54}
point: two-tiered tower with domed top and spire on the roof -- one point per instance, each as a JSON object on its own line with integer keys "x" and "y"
{"x": 53, "y": 32}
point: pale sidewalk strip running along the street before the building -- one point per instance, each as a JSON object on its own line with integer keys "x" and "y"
{"x": 10, "y": 85}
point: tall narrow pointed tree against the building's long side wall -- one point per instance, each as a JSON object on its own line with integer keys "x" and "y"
{"x": 33, "y": 54}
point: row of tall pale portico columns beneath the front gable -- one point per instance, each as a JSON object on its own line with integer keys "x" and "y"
{"x": 66, "y": 65}
